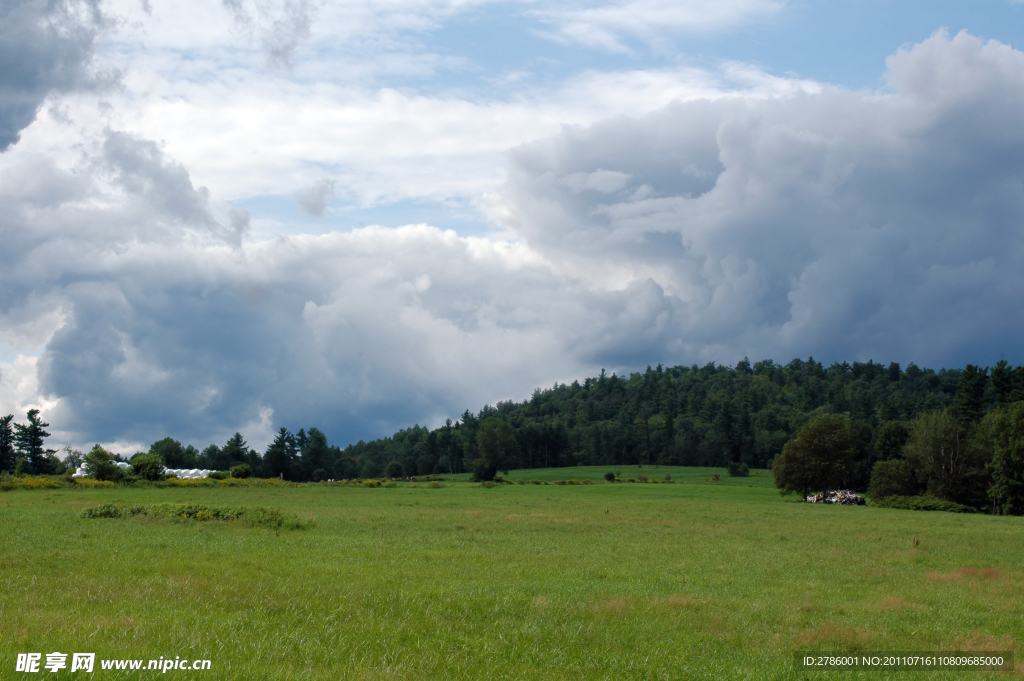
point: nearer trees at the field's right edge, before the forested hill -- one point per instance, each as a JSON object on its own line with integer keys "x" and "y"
{"x": 970, "y": 454}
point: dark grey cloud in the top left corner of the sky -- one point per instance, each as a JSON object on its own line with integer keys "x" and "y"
{"x": 46, "y": 46}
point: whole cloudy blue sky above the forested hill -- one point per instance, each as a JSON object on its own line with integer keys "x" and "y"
{"x": 247, "y": 215}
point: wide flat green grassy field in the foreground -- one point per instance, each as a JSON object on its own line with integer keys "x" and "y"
{"x": 695, "y": 580}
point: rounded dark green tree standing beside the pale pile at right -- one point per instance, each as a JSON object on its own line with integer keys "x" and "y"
{"x": 822, "y": 457}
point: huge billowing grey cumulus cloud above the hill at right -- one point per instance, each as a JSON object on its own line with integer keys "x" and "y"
{"x": 847, "y": 225}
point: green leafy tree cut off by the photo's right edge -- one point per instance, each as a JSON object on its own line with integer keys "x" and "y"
{"x": 1006, "y": 434}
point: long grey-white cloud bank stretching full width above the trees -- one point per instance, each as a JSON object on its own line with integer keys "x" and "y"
{"x": 828, "y": 223}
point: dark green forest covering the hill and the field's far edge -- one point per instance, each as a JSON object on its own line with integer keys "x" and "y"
{"x": 702, "y": 416}
